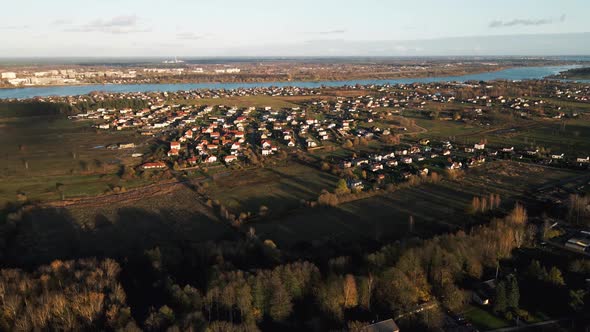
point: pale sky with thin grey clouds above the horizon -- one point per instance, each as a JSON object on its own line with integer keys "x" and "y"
{"x": 40, "y": 28}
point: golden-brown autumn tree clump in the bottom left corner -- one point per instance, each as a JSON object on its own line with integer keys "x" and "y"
{"x": 66, "y": 296}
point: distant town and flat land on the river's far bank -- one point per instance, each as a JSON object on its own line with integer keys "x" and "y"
{"x": 178, "y": 71}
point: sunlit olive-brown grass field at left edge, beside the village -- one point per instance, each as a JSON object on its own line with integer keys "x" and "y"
{"x": 38, "y": 152}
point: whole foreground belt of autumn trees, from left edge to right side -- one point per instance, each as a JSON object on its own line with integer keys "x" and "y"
{"x": 398, "y": 279}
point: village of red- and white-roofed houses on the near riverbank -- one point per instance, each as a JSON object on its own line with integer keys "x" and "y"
{"x": 192, "y": 135}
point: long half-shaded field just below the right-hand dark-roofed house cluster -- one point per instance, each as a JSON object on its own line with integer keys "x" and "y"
{"x": 434, "y": 207}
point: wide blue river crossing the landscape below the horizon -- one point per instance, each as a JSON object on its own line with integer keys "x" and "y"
{"x": 524, "y": 73}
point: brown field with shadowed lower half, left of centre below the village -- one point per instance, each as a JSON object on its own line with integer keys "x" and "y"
{"x": 121, "y": 224}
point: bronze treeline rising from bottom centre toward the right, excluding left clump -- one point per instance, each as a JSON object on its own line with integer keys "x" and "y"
{"x": 427, "y": 275}
